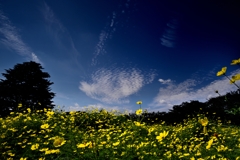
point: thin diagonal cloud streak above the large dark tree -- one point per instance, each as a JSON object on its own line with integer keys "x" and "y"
{"x": 12, "y": 40}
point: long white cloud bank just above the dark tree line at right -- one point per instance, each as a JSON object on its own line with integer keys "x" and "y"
{"x": 175, "y": 94}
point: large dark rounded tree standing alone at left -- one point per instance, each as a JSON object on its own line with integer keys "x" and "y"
{"x": 25, "y": 84}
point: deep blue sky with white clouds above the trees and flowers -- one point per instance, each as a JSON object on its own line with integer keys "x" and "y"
{"x": 111, "y": 54}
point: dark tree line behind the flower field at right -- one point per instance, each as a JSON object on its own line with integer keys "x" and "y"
{"x": 217, "y": 108}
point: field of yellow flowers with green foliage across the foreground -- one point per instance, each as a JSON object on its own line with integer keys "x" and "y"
{"x": 102, "y": 135}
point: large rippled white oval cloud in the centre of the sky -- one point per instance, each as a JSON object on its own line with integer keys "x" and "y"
{"x": 115, "y": 85}
